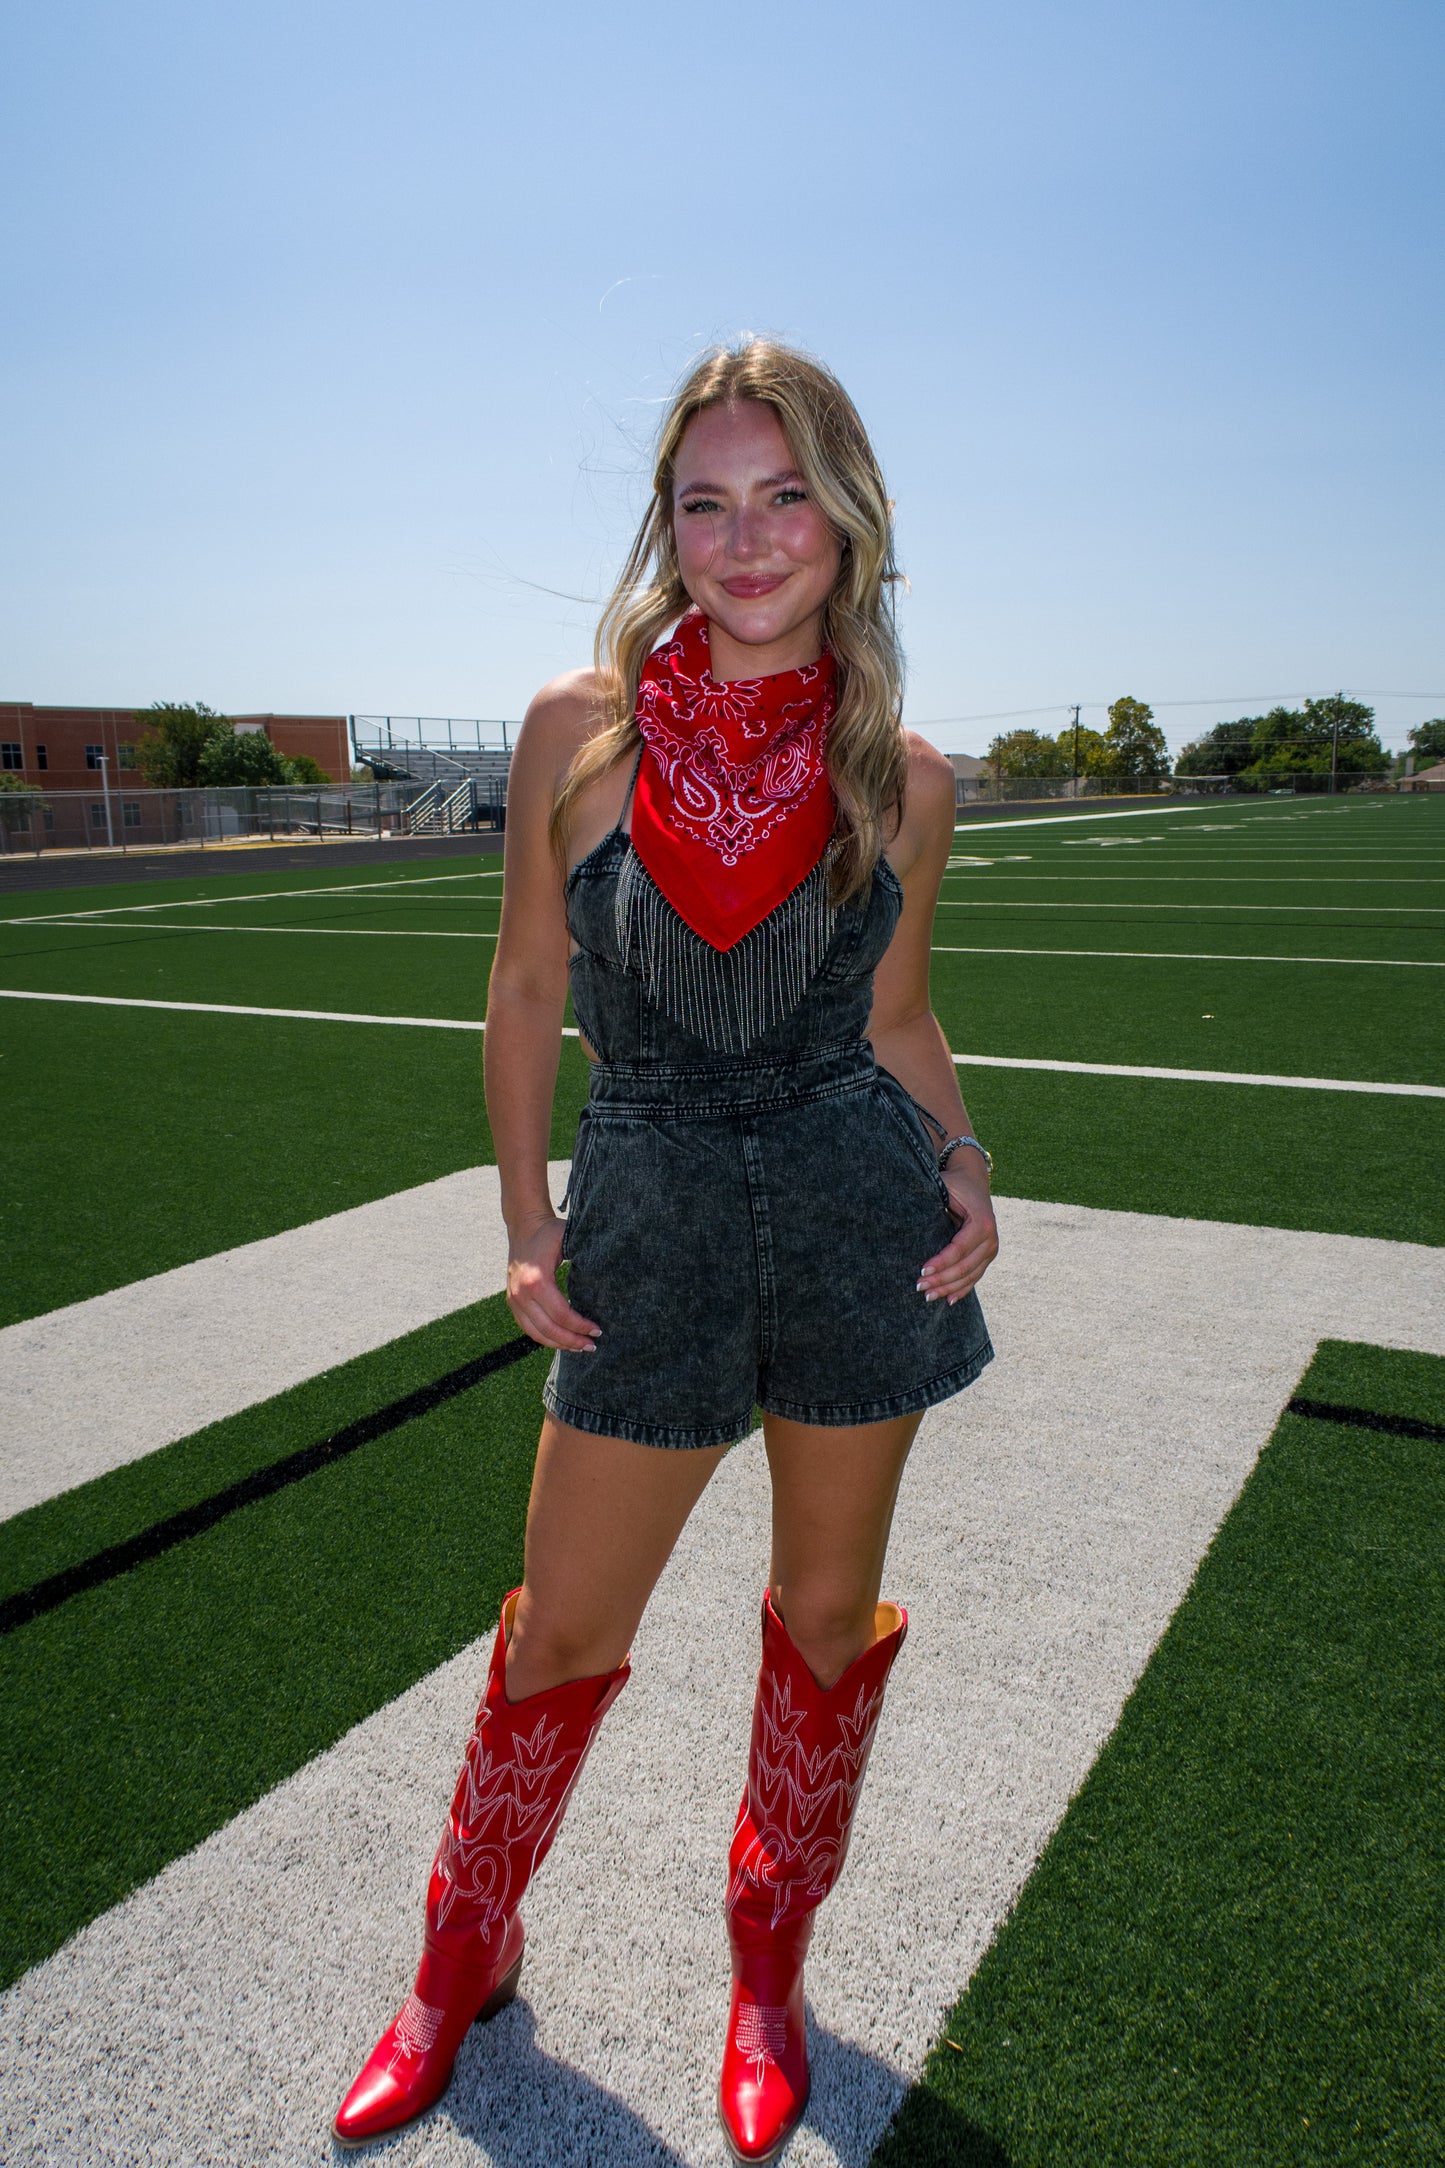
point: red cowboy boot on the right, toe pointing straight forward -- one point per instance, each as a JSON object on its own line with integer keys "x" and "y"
{"x": 805, "y": 1775}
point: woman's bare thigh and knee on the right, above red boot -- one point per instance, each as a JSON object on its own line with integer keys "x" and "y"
{"x": 833, "y": 1512}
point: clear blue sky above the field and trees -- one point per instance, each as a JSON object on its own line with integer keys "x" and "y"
{"x": 337, "y": 335}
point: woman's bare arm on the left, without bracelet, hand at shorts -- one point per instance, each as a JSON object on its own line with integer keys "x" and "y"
{"x": 525, "y": 1007}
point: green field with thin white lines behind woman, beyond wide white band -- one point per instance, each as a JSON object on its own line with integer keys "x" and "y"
{"x": 170, "y": 1135}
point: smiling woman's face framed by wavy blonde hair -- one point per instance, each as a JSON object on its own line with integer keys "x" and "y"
{"x": 757, "y": 554}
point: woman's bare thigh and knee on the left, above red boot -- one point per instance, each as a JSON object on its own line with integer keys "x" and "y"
{"x": 601, "y": 1527}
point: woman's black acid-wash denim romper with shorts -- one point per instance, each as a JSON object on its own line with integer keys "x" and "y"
{"x": 748, "y": 1230}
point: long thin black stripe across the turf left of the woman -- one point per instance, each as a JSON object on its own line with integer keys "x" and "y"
{"x": 34, "y": 1603}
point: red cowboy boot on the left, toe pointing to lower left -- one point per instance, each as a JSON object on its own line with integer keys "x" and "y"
{"x": 517, "y": 1781}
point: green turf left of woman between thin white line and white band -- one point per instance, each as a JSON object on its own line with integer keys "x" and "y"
{"x": 164, "y": 1137}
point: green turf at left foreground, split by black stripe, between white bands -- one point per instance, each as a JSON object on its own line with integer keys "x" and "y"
{"x": 146, "y": 1714}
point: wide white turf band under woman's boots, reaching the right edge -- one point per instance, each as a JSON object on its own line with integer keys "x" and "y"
{"x": 1047, "y": 1530}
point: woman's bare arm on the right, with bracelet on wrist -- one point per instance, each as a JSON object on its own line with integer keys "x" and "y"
{"x": 907, "y": 1035}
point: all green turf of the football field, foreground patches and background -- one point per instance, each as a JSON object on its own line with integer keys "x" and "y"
{"x": 1232, "y": 1948}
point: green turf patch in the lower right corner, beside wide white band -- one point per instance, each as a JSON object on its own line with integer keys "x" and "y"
{"x": 1232, "y": 1952}
